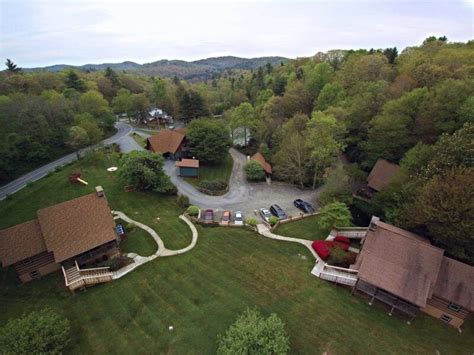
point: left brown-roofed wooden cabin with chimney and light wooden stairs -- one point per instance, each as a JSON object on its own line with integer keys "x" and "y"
{"x": 69, "y": 236}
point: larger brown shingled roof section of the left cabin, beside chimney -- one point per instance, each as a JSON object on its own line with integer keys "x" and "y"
{"x": 75, "y": 226}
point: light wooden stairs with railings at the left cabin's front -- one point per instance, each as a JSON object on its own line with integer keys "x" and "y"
{"x": 75, "y": 277}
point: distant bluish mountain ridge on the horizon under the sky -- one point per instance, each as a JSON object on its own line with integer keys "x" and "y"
{"x": 196, "y": 70}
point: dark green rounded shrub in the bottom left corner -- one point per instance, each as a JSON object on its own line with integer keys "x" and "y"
{"x": 42, "y": 332}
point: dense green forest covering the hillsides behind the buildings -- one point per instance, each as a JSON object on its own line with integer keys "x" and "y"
{"x": 414, "y": 108}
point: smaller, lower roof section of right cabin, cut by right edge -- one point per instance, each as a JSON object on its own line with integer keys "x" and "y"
{"x": 456, "y": 283}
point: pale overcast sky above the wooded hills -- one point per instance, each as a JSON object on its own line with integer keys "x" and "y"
{"x": 44, "y": 32}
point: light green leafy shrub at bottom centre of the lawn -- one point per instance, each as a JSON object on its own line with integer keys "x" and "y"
{"x": 253, "y": 334}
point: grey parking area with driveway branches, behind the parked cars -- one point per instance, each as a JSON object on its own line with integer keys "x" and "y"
{"x": 242, "y": 195}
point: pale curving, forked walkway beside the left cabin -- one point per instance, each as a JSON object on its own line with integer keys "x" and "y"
{"x": 161, "y": 250}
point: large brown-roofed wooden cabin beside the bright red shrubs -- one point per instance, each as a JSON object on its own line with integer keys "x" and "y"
{"x": 406, "y": 272}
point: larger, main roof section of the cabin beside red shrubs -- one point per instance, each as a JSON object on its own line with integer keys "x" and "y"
{"x": 399, "y": 262}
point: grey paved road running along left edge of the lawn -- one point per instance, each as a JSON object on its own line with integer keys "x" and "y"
{"x": 121, "y": 137}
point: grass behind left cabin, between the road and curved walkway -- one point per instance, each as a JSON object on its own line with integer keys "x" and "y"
{"x": 159, "y": 212}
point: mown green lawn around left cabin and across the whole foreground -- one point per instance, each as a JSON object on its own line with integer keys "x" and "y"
{"x": 200, "y": 293}
